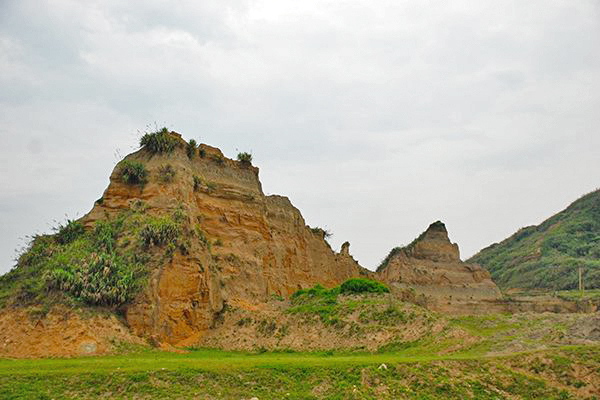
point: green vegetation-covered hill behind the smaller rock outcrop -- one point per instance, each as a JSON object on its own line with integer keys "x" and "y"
{"x": 548, "y": 256}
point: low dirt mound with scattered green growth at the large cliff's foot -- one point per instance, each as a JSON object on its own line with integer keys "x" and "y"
{"x": 354, "y": 323}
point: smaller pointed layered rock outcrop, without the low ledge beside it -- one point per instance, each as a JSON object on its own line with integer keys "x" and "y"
{"x": 431, "y": 270}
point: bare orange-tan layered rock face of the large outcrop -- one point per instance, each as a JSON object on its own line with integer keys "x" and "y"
{"x": 243, "y": 246}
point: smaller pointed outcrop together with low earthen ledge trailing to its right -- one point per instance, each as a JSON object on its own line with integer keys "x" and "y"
{"x": 430, "y": 272}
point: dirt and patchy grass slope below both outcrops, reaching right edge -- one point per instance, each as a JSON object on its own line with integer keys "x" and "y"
{"x": 382, "y": 322}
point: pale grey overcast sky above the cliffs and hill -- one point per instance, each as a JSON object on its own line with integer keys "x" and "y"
{"x": 375, "y": 118}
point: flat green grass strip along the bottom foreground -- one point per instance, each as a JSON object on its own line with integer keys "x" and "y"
{"x": 210, "y": 374}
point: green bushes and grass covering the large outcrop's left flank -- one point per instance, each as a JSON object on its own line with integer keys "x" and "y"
{"x": 103, "y": 266}
